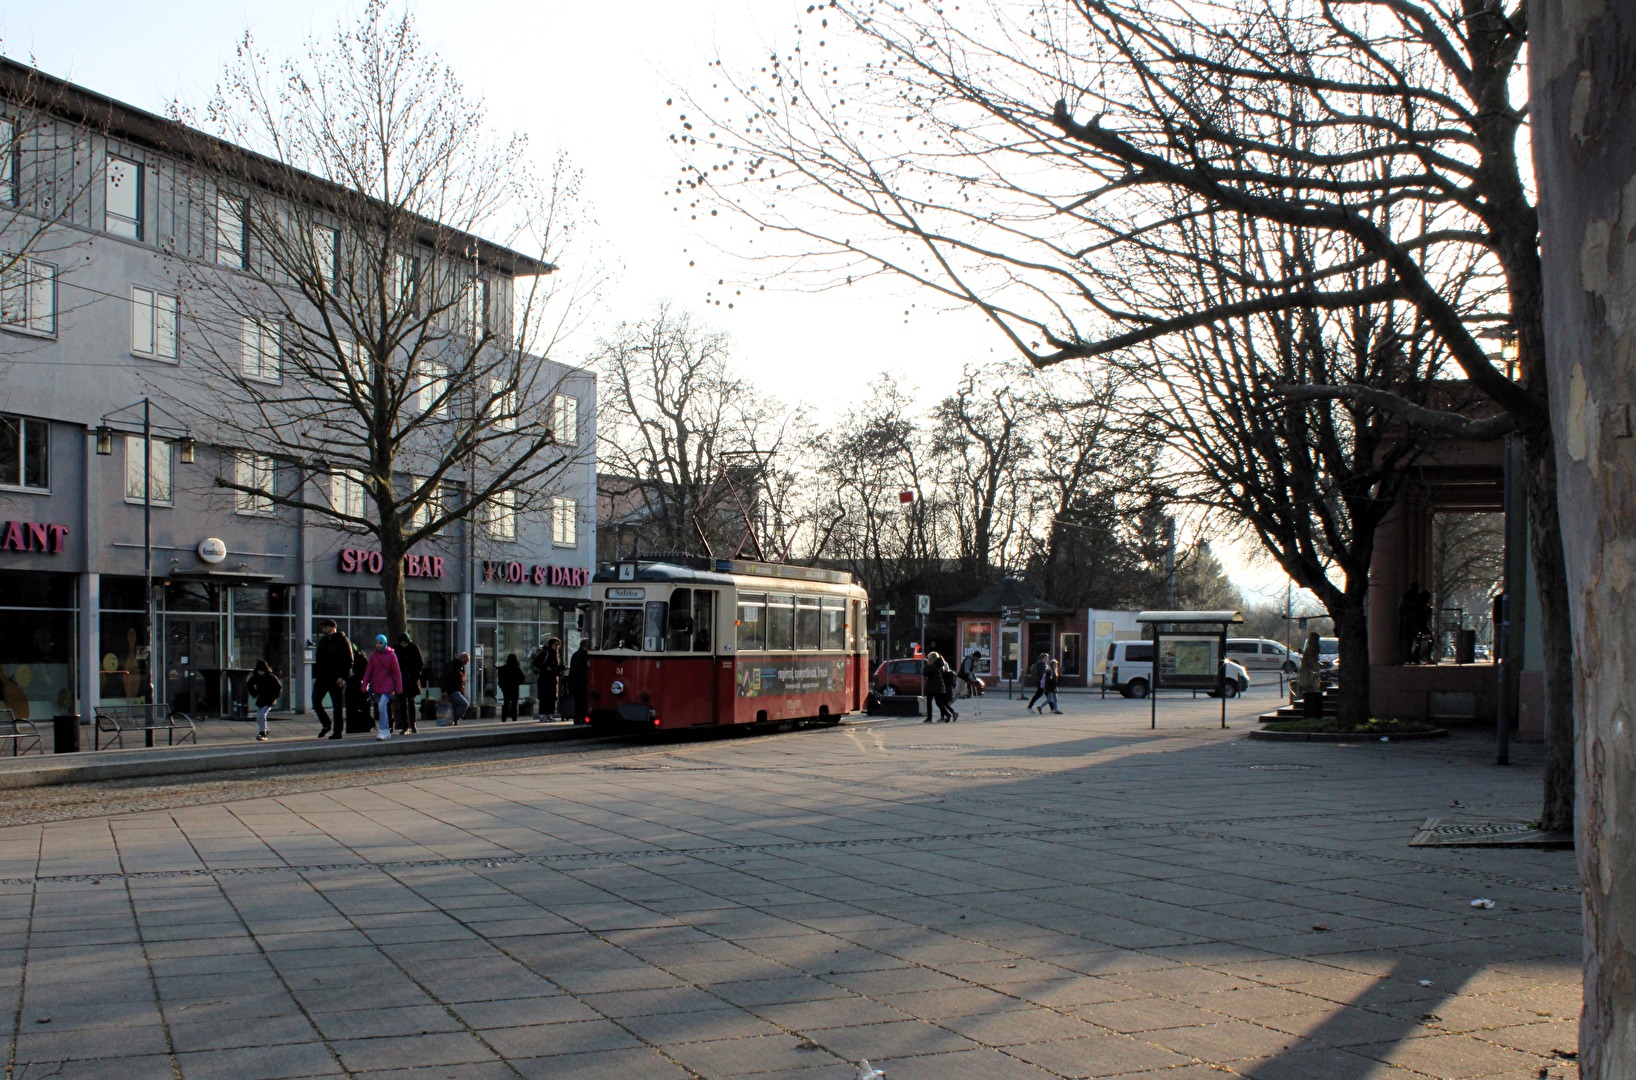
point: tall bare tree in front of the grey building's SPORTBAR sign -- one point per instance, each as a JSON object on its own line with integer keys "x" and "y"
{"x": 372, "y": 336}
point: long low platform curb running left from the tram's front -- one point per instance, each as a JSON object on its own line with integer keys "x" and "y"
{"x": 258, "y": 757}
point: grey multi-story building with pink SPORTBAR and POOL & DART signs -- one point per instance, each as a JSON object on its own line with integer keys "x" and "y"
{"x": 109, "y": 218}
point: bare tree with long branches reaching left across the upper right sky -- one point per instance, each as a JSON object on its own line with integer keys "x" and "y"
{"x": 1015, "y": 160}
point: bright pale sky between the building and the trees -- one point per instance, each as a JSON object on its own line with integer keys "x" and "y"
{"x": 590, "y": 79}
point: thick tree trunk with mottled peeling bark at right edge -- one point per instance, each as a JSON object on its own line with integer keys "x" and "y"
{"x": 1584, "y": 112}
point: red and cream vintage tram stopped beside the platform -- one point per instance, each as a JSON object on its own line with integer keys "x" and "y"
{"x": 691, "y": 642}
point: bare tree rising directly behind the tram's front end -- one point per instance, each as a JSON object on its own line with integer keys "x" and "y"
{"x": 690, "y": 444}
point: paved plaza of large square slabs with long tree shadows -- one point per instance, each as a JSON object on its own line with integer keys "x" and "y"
{"x": 1005, "y": 898}
